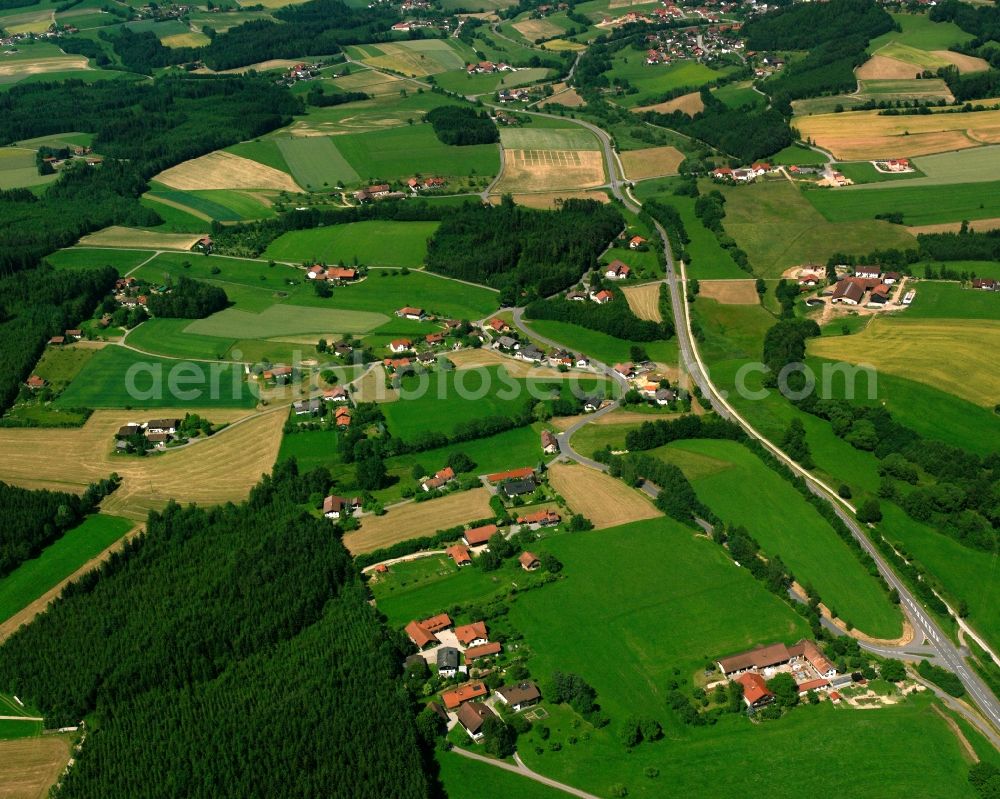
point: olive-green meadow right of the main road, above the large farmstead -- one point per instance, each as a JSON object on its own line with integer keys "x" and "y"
{"x": 779, "y": 228}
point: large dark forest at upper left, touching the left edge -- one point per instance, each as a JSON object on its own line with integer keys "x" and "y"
{"x": 140, "y": 129}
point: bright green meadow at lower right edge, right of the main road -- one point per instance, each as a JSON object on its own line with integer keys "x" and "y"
{"x": 965, "y": 574}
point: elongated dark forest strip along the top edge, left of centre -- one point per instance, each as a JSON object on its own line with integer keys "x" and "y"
{"x": 318, "y": 27}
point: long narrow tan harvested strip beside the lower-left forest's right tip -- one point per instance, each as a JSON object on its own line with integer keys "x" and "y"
{"x": 416, "y": 519}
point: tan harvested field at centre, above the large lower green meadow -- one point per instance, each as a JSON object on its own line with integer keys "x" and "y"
{"x": 607, "y": 502}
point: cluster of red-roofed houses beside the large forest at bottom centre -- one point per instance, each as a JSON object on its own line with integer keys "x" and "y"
{"x": 455, "y": 650}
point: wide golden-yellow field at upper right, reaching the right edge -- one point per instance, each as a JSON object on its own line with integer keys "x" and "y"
{"x": 864, "y": 135}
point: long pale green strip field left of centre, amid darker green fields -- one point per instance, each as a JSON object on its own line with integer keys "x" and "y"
{"x": 283, "y": 320}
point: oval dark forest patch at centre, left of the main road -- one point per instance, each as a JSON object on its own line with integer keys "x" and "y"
{"x": 520, "y": 250}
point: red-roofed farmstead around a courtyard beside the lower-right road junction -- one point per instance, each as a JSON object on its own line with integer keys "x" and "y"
{"x": 804, "y": 661}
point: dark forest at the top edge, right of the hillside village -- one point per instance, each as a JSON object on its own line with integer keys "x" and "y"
{"x": 834, "y": 36}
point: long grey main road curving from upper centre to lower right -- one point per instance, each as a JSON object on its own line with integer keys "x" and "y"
{"x": 925, "y": 626}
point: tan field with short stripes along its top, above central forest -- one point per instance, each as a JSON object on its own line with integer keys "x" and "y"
{"x": 550, "y": 170}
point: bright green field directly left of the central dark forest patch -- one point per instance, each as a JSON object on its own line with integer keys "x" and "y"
{"x": 381, "y": 243}
